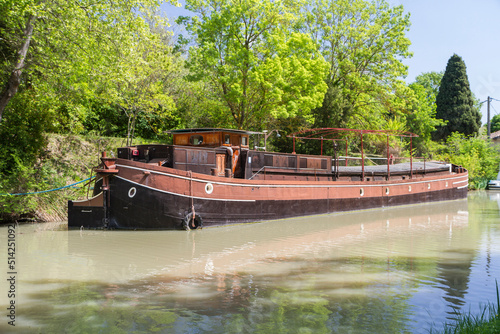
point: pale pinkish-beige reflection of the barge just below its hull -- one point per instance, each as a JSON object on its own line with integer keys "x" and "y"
{"x": 248, "y": 248}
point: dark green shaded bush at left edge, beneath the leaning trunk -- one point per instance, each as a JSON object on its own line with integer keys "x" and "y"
{"x": 22, "y": 148}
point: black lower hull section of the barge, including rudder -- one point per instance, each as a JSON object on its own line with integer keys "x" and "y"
{"x": 150, "y": 208}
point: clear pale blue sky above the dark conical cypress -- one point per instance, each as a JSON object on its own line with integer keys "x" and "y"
{"x": 440, "y": 28}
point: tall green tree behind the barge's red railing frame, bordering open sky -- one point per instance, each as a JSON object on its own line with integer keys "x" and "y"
{"x": 364, "y": 44}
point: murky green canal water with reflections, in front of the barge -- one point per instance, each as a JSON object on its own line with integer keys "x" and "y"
{"x": 398, "y": 270}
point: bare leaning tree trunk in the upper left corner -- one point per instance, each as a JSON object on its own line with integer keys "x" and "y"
{"x": 15, "y": 77}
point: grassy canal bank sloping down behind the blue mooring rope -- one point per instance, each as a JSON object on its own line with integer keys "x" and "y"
{"x": 67, "y": 159}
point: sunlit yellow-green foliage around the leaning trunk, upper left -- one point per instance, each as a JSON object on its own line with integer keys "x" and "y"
{"x": 113, "y": 52}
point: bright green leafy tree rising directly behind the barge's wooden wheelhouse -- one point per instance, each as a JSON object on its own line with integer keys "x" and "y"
{"x": 259, "y": 67}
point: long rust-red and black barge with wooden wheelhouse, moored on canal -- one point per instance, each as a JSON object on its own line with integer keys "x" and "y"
{"x": 211, "y": 177}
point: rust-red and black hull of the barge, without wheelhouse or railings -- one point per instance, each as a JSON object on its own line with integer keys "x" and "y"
{"x": 144, "y": 196}
